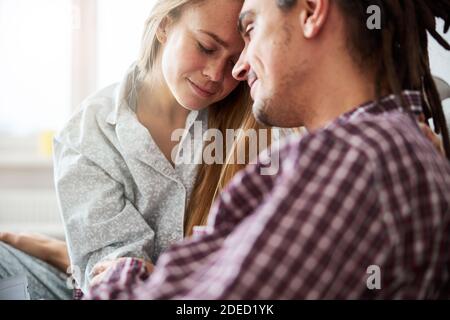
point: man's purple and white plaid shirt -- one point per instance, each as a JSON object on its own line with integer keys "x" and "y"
{"x": 366, "y": 196}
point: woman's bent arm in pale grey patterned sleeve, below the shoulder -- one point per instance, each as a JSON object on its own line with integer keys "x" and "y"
{"x": 101, "y": 223}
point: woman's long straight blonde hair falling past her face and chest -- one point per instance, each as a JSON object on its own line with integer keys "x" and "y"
{"x": 233, "y": 112}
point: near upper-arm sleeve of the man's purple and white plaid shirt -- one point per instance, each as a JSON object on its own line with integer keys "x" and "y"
{"x": 316, "y": 235}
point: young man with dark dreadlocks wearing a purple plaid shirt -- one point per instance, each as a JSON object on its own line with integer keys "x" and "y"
{"x": 361, "y": 206}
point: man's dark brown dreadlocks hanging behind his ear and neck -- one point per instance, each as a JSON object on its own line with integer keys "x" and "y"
{"x": 398, "y": 53}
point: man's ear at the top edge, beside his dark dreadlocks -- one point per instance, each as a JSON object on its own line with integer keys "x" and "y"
{"x": 313, "y": 15}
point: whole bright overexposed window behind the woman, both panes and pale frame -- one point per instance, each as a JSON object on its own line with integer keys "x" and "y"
{"x": 54, "y": 53}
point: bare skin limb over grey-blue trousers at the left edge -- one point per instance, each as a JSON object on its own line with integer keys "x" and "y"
{"x": 51, "y": 251}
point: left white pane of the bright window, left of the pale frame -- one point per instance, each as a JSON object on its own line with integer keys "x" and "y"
{"x": 34, "y": 63}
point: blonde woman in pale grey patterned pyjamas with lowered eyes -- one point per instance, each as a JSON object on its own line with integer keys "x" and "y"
{"x": 120, "y": 191}
